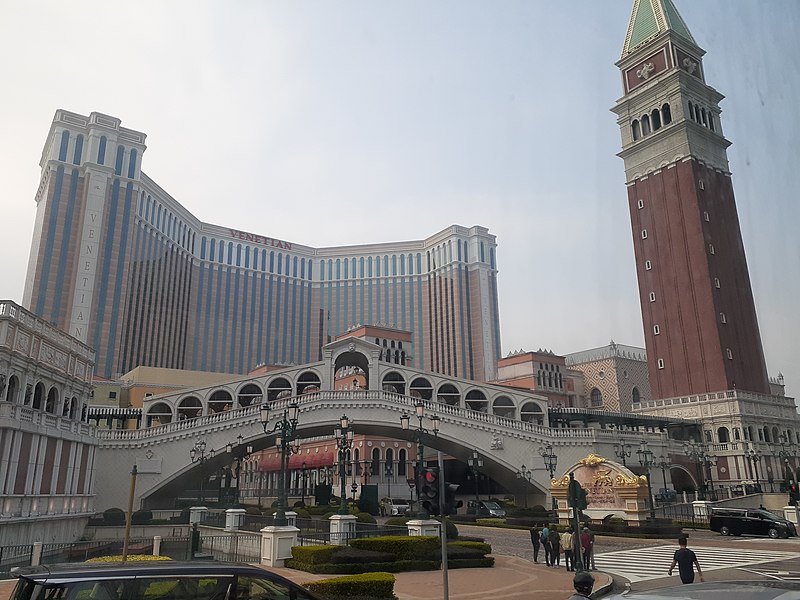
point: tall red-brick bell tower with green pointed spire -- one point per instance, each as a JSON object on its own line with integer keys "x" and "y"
{"x": 700, "y": 325}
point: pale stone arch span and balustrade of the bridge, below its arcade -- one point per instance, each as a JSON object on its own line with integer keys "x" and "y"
{"x": 161, "y": 453}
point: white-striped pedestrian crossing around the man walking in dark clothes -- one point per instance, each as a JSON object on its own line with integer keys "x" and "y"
{"x": 653, "y": 562}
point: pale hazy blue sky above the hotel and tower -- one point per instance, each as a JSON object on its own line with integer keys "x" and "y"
{"x": 327, "y": 123}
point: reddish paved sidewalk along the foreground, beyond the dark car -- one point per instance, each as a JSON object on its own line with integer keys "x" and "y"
{"x": 511, "y": 577}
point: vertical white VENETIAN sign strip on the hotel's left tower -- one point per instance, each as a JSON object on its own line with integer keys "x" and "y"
{"x": 89, "y": 251}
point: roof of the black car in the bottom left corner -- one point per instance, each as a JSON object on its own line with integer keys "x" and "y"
{"x": 138, "y": 568}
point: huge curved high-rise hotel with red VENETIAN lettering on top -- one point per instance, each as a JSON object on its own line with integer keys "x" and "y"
{"x": 123, "y": 267}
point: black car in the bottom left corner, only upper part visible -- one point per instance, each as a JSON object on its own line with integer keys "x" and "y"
{"x": 154, "y": 580}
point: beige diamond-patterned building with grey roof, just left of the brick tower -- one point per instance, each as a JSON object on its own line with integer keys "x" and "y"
{"x": 614, "y": 377}
